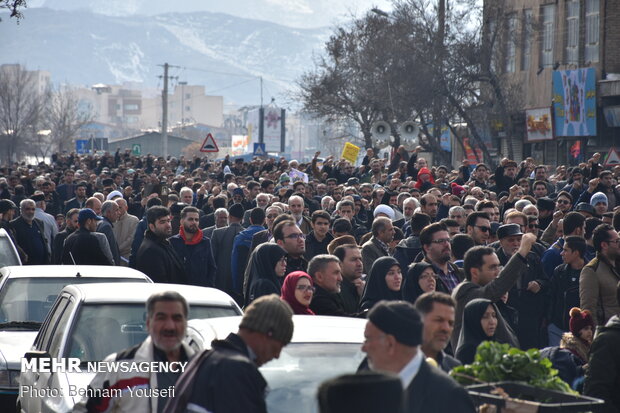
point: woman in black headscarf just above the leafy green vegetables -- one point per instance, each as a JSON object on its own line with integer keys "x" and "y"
{"x": 479, "y": 324}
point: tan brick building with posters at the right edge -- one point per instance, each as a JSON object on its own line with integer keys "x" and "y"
{"x": 542, "y": 40}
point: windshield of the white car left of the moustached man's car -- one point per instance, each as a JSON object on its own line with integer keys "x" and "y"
{"x": 30, "y": 299}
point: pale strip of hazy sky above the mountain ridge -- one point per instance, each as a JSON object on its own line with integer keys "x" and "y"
{"x": 294, "y": 13}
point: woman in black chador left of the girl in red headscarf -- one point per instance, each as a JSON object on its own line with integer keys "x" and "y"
{"x": 268, "y": 265}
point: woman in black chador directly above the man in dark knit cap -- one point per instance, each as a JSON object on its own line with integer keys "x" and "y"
{"x": 383, "y": 283}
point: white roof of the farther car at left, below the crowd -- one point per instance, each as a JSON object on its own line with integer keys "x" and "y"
{"x": 32, "y": 271}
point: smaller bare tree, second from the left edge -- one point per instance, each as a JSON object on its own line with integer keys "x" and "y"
{"x": 64, "y": 117}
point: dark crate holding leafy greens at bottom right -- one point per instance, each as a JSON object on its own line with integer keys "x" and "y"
{"x": 526, "y": 398}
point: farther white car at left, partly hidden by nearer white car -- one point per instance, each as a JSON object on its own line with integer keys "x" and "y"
{"x": 26, "y": 296}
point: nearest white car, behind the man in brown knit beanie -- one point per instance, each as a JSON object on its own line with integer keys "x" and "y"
{"x": 322, "y": 348}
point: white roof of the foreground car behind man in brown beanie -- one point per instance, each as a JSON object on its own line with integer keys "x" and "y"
{"x": 308, "y": 328}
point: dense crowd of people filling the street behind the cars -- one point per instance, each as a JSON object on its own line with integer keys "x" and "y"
{"x": 522, "y": 253}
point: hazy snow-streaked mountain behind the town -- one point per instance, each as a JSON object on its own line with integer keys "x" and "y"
{"x": 225, "y": 53}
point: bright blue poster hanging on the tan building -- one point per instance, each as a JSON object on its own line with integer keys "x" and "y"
{"x": 574, "y": 102}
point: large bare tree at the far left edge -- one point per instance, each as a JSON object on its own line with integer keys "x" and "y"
{"x": 21, "y": 106}
